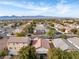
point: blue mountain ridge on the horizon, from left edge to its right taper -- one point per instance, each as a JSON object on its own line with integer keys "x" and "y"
{"x": 24, "y": 17}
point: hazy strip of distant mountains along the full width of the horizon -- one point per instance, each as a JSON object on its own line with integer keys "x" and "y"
{"x": 13, "y": 17}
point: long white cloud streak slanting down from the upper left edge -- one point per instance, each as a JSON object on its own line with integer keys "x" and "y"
{"x": 29, "y": 5}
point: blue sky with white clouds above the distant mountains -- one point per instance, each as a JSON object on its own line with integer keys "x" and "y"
{"x": 60, "y": 8}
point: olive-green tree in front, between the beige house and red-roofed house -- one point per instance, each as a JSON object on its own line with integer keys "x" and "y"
{"x": 28, "y": 52}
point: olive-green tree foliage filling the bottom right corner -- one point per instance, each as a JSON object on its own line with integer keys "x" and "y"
{"x": 56, "y": 53}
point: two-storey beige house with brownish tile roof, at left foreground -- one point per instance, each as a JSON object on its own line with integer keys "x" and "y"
{"x": 14, "y": 44}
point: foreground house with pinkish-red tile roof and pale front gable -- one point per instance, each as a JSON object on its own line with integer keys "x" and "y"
{"x": 42, "y": 46}
